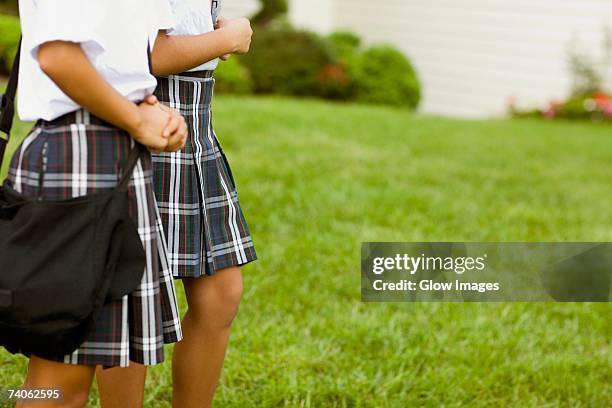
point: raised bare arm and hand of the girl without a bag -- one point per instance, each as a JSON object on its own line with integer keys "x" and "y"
{"x": 180, "y": 53}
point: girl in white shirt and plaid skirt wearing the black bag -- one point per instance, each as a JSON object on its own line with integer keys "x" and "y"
{"x": 84, "y": 69}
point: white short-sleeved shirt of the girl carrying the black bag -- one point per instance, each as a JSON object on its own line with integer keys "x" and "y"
{"x": 113, "y": 34}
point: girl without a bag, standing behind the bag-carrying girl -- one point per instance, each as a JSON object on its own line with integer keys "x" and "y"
{"x": 207, "y": 234}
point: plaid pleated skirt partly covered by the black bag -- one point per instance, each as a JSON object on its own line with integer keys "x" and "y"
{"x": 79, "y": 154}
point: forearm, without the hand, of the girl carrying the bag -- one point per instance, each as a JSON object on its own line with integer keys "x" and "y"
{"x": 67, "y": 65}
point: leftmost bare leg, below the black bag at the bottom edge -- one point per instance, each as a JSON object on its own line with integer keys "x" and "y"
{"x": 74, "y": 382}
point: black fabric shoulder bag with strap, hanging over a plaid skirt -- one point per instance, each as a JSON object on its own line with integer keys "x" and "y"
{"x": 60, "y": 261}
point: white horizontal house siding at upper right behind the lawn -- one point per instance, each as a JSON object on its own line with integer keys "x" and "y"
{"x": 473, "y": 56}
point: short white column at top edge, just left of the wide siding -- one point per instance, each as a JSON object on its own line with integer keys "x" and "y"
{"x": 316, "y": 15}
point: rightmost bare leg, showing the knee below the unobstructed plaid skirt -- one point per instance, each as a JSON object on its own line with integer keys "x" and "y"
{"x": 198, "y": 359}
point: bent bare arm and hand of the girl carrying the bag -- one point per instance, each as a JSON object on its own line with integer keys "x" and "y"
{"x": 66, "y": 64}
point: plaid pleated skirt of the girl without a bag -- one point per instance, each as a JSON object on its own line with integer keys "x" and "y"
{"x": 196, "y": 193}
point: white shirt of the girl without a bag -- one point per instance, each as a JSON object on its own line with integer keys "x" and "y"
{"x": 193, "y": 17}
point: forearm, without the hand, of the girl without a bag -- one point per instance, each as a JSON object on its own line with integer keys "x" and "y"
{"x": 174, "y": 54}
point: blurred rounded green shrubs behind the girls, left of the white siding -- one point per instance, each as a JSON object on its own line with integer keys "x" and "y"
{"x": 287, "y": 61}
